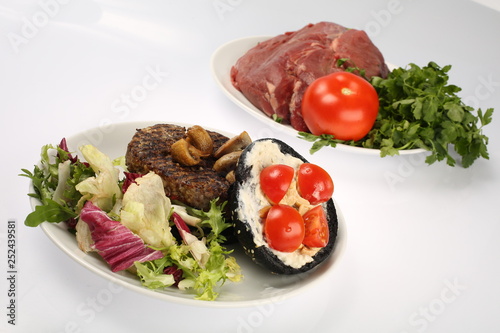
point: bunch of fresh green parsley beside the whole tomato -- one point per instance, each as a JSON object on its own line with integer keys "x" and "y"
{"x": 419, "y": 109}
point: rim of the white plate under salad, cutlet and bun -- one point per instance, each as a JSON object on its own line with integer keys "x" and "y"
{"x": 323, "y": 270}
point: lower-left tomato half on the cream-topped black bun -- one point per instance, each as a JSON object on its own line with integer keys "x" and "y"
{"x": 284, "y": 228}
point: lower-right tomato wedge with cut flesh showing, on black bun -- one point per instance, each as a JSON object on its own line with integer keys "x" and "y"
{"x": 316, "y": 228}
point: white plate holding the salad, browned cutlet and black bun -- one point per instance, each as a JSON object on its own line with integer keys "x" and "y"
{"x": 258, "y": 285}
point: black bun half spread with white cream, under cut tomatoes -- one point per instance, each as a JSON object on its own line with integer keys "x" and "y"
{"x": 245, "y": 201}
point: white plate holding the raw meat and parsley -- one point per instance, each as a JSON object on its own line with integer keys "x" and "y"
{"x": 222, "y": 61}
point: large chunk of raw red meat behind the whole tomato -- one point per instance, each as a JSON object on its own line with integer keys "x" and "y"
{"x": 274, "y": 74}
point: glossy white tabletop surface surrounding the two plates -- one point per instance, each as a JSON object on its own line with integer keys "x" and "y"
{"x": 422, "y": 254}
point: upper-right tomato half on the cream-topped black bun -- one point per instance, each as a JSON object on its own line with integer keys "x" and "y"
{"x": 314, "y": 183}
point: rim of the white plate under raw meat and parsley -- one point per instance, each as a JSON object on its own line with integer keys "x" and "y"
{"x": 240, "y": 100}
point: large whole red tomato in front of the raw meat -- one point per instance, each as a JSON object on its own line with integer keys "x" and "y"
{"x": 342, "y": 104}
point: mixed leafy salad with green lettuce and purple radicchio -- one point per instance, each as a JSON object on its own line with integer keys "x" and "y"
{"x": 129, "y": 221}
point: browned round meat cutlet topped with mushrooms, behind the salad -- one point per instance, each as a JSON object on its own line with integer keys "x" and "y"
{"x": 196, "y": 186}
